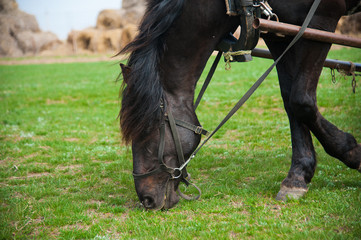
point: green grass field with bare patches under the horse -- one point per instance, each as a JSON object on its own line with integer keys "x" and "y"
{"x": 66, "y": 175}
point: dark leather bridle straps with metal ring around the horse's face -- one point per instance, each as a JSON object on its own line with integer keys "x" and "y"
{"x": 181, "y": 171}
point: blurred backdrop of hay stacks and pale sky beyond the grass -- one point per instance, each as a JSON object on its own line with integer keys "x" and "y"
{"x": 73, "y": 27}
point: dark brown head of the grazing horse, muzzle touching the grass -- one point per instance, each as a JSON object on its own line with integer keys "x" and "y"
{"x": 161, "y": 143}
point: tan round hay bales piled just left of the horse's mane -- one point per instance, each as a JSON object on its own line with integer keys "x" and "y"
{"x": 114, "y": 29}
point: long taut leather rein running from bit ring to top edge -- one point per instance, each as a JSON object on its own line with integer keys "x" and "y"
{"x": 249, "y": 93}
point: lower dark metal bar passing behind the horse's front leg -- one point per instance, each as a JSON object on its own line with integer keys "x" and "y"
{"x": 329, "y": 63}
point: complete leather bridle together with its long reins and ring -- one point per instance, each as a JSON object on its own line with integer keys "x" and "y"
{"x": 181, "y": 172}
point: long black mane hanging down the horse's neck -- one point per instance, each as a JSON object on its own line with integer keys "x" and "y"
{"x": 142, "y": 89}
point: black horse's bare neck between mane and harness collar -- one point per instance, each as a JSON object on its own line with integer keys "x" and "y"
{"x": 189, "y": 44}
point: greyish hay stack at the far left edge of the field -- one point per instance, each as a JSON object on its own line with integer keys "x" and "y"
{"x": 20, "y": 33}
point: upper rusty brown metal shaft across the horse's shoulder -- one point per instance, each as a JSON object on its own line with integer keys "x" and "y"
{"x": 310, "y": 33}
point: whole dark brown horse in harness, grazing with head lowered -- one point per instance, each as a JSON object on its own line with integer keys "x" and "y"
{"x": 175, "y": 39}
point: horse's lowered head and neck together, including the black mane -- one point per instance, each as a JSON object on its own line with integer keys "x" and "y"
{"x": 158, "y": 115}
